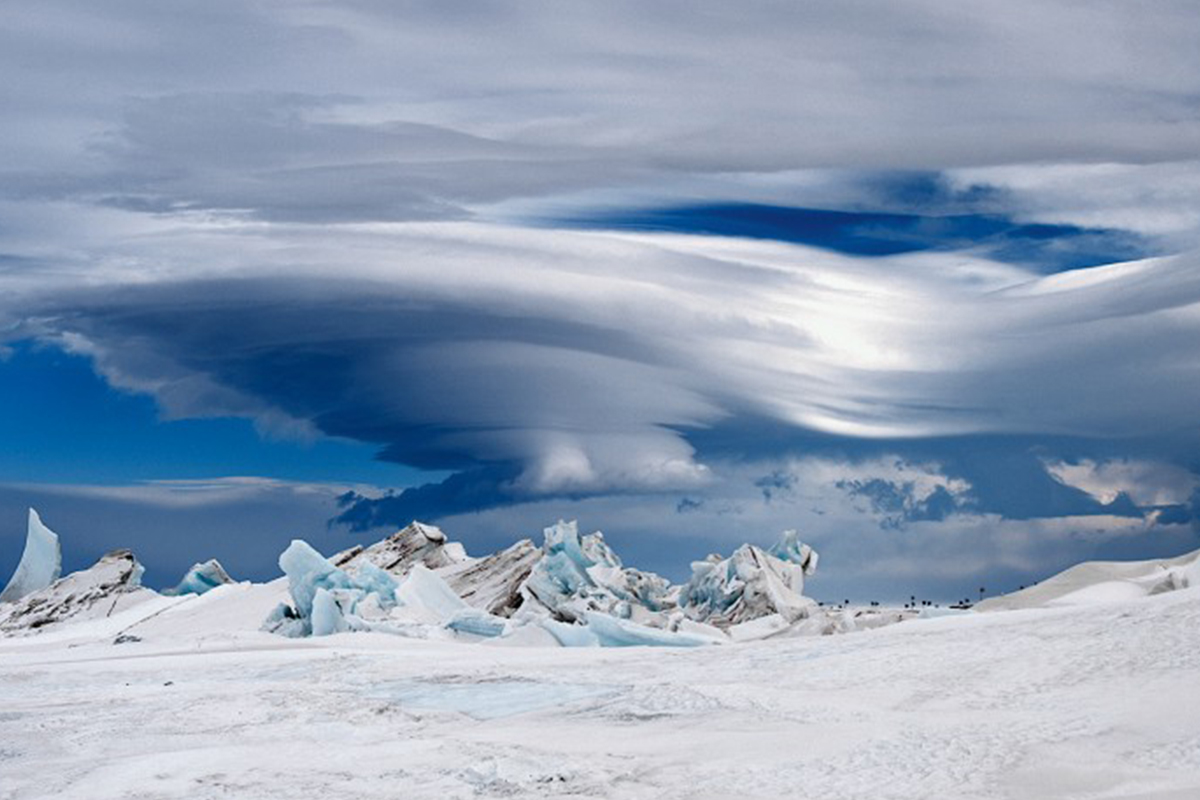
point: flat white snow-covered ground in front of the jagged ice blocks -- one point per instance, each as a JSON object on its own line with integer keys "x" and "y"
{"x": 1090, "y": 701}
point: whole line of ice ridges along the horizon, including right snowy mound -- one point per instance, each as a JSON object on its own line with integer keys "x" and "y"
{"x": 573, "y": 591}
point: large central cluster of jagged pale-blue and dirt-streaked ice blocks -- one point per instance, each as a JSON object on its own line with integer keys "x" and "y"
{"x": 574, "y": 588}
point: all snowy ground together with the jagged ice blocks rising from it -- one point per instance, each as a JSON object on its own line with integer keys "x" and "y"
{"x": 524, "y": 675}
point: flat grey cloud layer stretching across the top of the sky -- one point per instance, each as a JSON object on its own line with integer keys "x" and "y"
{"x": 355, "y": 111}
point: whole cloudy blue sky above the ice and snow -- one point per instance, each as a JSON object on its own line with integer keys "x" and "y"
{"x": 920, "y": 280}
